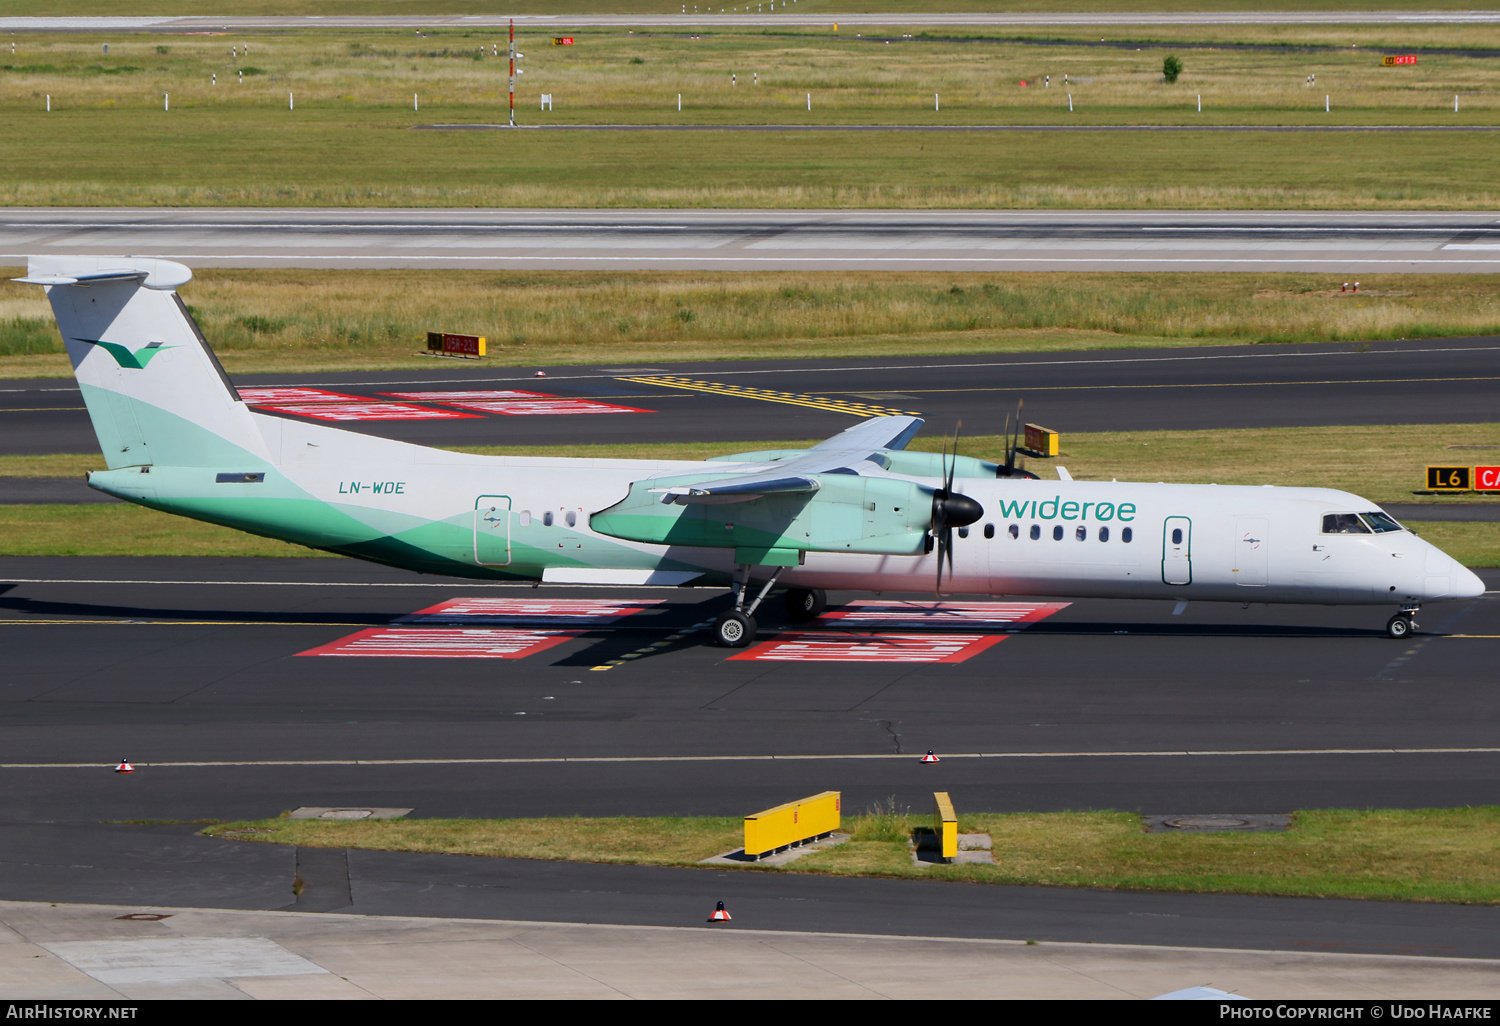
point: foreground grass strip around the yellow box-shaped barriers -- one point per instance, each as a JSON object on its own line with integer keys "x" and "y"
{"x": 1409, "y": 856}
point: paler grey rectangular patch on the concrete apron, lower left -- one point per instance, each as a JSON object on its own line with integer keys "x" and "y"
{"x": 178, "y": 959}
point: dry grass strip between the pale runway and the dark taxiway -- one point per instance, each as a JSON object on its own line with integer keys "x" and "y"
{"x": 340, "y": 320}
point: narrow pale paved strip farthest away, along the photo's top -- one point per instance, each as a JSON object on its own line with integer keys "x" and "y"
{"x": 781, "y": 19}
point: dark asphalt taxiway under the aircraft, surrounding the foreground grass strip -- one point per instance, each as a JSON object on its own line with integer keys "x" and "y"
{"x": 1283, "y": 707}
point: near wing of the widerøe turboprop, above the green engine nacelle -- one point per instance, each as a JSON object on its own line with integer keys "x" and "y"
{"x": 850, "y": 452}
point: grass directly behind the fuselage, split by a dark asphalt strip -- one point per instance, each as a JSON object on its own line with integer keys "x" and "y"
{"x": 1381, "y": 464}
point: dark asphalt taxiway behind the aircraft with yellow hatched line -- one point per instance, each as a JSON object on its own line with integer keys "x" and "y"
{"x": 1261, "y": 386}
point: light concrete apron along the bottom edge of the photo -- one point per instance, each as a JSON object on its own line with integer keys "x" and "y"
{"x": 88, "y": 952}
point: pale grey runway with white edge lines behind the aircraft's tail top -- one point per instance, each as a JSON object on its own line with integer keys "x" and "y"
{"x": 1327, "y": 242}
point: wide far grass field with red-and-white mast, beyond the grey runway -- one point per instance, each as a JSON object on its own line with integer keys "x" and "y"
{"x": 350, "y": 140}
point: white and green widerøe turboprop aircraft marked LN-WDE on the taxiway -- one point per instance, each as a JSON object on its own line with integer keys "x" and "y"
{"x": 856, "y": 512}
